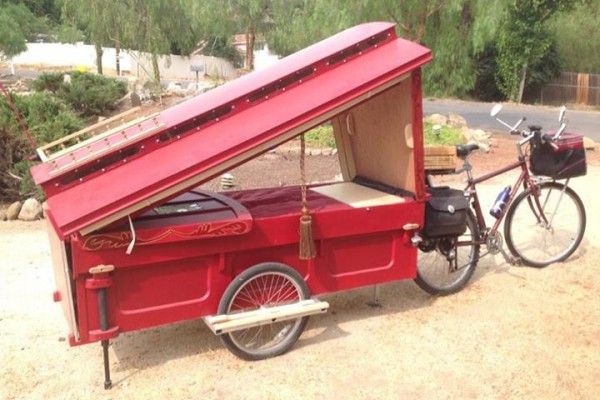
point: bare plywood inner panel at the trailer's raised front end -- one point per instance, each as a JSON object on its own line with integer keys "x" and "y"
{"x": 373, "y": 141}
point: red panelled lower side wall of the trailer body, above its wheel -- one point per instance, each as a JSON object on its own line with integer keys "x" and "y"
{"x": 161, "y": 283}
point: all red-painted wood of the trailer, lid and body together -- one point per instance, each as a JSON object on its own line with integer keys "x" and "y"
{"x": 182, "y": 263}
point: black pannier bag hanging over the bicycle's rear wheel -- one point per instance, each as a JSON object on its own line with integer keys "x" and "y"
{"x": 445, "y": 212}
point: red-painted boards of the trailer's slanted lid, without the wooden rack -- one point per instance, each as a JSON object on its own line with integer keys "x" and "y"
{"x": 76, "y": 204}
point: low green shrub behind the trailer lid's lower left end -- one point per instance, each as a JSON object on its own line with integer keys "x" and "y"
{"x": 88, "y": 94}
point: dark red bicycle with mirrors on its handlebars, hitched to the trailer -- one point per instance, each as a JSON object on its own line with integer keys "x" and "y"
{"x": 545, "y": 219}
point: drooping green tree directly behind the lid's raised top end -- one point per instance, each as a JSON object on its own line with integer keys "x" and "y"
{"x": 456, "y": 31}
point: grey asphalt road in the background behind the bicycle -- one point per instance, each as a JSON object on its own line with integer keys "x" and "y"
{"x": 478, "y": 116}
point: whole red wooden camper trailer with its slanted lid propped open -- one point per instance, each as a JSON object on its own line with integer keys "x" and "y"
{"x": 136, "y": 244}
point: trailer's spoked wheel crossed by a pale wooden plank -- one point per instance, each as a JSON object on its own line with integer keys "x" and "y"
{"x": 264, "y": 285}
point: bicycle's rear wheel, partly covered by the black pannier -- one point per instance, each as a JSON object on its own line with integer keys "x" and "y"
{"x": 438, "y": 273}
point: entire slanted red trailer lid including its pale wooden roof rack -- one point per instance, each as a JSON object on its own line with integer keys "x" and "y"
{"x": 131, "y": 168}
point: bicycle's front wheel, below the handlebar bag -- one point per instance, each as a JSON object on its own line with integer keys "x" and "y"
{"x": 536, "y": 242}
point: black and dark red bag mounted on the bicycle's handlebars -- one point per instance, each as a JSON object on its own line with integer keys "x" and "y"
{"x": 559, "y": 159}
